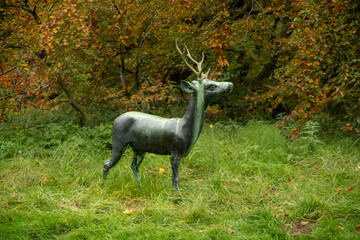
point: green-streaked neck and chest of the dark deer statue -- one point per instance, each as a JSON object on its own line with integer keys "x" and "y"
{"x": 193, "y": 120}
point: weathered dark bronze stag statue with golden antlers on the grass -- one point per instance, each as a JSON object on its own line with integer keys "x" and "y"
{"x": 167, "y": 136}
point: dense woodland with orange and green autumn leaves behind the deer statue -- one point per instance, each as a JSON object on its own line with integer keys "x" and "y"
{"x": 299, "y": 60}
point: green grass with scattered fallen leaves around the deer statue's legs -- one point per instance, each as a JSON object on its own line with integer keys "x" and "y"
{"x": 238, "y": 182}
